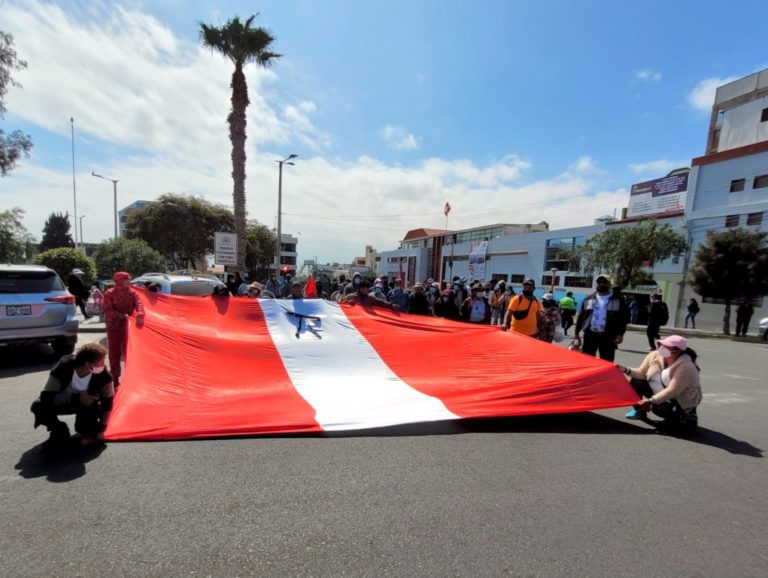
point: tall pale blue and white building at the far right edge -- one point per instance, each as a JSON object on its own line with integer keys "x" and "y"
{"x": 728, "y": 186}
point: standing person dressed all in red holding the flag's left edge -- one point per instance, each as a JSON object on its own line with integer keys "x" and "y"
{"x": 120, "y": 303}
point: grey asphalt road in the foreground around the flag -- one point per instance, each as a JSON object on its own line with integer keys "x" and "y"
{"x": 577, "y": 495}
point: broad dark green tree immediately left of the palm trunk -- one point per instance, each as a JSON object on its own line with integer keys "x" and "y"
{"x": 180, "y": 228}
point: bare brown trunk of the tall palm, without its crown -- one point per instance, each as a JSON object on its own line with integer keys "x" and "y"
{"x": 237, "y": 123}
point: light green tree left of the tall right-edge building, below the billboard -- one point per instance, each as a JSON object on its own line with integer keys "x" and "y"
{"x": 627, "y": 252}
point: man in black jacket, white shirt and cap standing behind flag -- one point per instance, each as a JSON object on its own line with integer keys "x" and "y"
{"x": 603, "y": 317}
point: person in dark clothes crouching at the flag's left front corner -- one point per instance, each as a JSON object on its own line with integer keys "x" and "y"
{"x": 78, "y": 384}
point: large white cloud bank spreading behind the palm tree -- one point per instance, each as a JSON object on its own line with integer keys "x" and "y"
{"x": 129, "y": 81}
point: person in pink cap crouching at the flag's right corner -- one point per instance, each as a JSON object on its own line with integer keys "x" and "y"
{"x": 668, "y": 383}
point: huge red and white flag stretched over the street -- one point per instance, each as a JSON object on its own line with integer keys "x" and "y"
{"x": 218, "y": 366}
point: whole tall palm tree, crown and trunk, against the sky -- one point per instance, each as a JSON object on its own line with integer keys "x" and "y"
{"x": 241, "y": 43}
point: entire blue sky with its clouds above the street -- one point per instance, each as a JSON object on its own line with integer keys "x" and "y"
{"x": 512, "y": 111}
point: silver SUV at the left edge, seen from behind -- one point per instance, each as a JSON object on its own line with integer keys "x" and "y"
{"x": 35, "y": 307}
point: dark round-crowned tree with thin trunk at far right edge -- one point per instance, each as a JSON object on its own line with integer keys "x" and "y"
{"x": 731, "y": 265}
